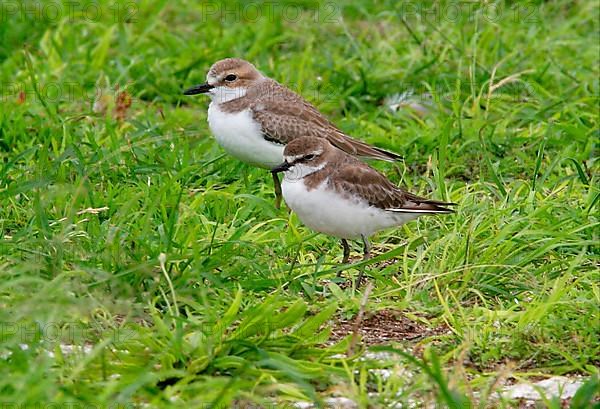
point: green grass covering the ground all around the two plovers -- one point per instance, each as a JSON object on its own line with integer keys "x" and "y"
{"x": 187, "y": 288}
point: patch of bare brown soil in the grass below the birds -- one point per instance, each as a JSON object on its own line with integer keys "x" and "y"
{"x": 384, "y": 326}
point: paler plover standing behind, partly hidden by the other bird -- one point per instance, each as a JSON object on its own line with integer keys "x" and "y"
{"x": 253, "y": 117}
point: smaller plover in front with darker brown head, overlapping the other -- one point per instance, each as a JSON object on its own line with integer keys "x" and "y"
{"x": 337, "y": 194}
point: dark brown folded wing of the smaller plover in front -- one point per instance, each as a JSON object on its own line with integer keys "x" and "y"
{"x": 359, "y": 180}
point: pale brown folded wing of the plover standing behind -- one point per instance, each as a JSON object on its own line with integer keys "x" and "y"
{"x": 284, "y": 116}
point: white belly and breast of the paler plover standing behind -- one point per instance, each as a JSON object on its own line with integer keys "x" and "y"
{"x": 241, "y": 136}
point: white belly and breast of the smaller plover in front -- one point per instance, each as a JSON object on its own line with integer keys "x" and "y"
{"x": 328, "y": 212}
